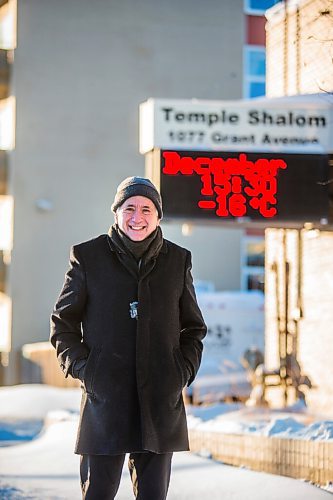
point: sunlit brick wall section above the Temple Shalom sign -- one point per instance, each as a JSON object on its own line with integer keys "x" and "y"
{"x": 299, "y": 48}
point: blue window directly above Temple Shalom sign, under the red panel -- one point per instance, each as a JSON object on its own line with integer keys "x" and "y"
{"x": 254, "y": 71}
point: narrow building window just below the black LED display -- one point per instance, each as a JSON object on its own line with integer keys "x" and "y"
{"x": 253, "y": 263}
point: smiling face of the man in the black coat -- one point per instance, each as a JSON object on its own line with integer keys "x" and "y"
{"x": 137, "y": 217}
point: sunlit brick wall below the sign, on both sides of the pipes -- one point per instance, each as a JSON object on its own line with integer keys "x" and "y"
{"x": 310, "y": 257}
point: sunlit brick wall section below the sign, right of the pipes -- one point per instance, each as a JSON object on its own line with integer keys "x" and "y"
{"x": 316, "y": 328}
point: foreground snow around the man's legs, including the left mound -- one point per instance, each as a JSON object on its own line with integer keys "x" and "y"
{"x": 46, "y": 469}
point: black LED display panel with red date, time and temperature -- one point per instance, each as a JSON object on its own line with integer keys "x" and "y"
{"x": 213, "y": 185}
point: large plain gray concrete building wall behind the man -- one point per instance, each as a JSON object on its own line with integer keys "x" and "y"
{"x": 80, "y": 71}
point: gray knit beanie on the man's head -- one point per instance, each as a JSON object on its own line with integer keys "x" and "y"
{"x": 137, "y": 186}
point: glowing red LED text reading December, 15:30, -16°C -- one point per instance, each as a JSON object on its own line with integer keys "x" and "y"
{"x": 233, "y": 184}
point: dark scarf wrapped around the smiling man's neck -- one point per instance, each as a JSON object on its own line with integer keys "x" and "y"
{"x": 136, "y": 256}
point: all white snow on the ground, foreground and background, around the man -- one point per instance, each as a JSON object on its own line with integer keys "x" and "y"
{"x": 45, "y": 468}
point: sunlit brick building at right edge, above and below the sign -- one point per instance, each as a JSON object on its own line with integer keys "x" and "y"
{"x": 298, "y": 264}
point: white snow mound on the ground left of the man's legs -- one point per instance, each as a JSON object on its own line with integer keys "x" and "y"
{"x": 44, "y": 468}
